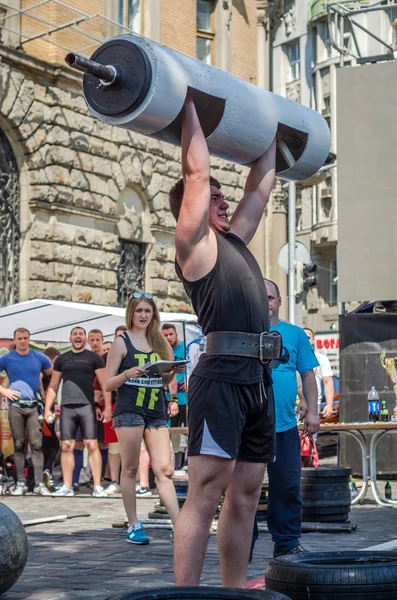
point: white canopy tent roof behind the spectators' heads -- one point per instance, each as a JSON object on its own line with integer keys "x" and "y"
{"x": 52, "y": 320}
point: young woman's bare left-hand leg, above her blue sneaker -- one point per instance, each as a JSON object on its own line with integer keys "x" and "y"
{"x": 130, "y": 439}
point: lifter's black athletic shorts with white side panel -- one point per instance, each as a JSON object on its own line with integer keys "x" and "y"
{"x": 231, "y": 420}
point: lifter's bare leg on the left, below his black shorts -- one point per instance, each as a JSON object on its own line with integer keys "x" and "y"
{"x": 209, "y": 477}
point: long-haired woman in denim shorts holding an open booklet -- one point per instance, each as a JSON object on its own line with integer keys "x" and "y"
{"x": 140, "y": 407}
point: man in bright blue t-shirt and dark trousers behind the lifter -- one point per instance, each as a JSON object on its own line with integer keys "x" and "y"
{"x": 284, "y": 509}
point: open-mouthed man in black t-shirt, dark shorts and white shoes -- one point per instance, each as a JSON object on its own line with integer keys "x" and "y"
{"x": 77, "y": 368}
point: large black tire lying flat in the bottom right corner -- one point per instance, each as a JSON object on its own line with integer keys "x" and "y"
{"x": 335, "y": 576}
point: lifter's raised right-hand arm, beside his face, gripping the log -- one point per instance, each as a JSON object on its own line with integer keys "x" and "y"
{"x": 257, "y": 192}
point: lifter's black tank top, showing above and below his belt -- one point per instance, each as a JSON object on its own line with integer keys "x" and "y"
{"x": 232, "y": 297}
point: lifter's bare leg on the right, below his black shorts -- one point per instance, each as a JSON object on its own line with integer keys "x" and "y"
{"x": 236, "y": 522}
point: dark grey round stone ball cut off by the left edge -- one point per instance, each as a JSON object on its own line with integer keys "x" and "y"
{"x": 13, "y": 548}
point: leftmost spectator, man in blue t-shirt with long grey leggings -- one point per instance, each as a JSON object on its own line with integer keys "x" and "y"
{"x": 24, "y": 367}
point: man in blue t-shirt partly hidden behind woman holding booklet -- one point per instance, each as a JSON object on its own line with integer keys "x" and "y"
{"x": 180, "y": 419}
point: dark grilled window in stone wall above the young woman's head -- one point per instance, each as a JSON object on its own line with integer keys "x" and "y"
{"x": 131, "y": 271}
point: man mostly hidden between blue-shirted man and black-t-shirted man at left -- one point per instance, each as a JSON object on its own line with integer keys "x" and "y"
{"x": 50, "y": 444}
